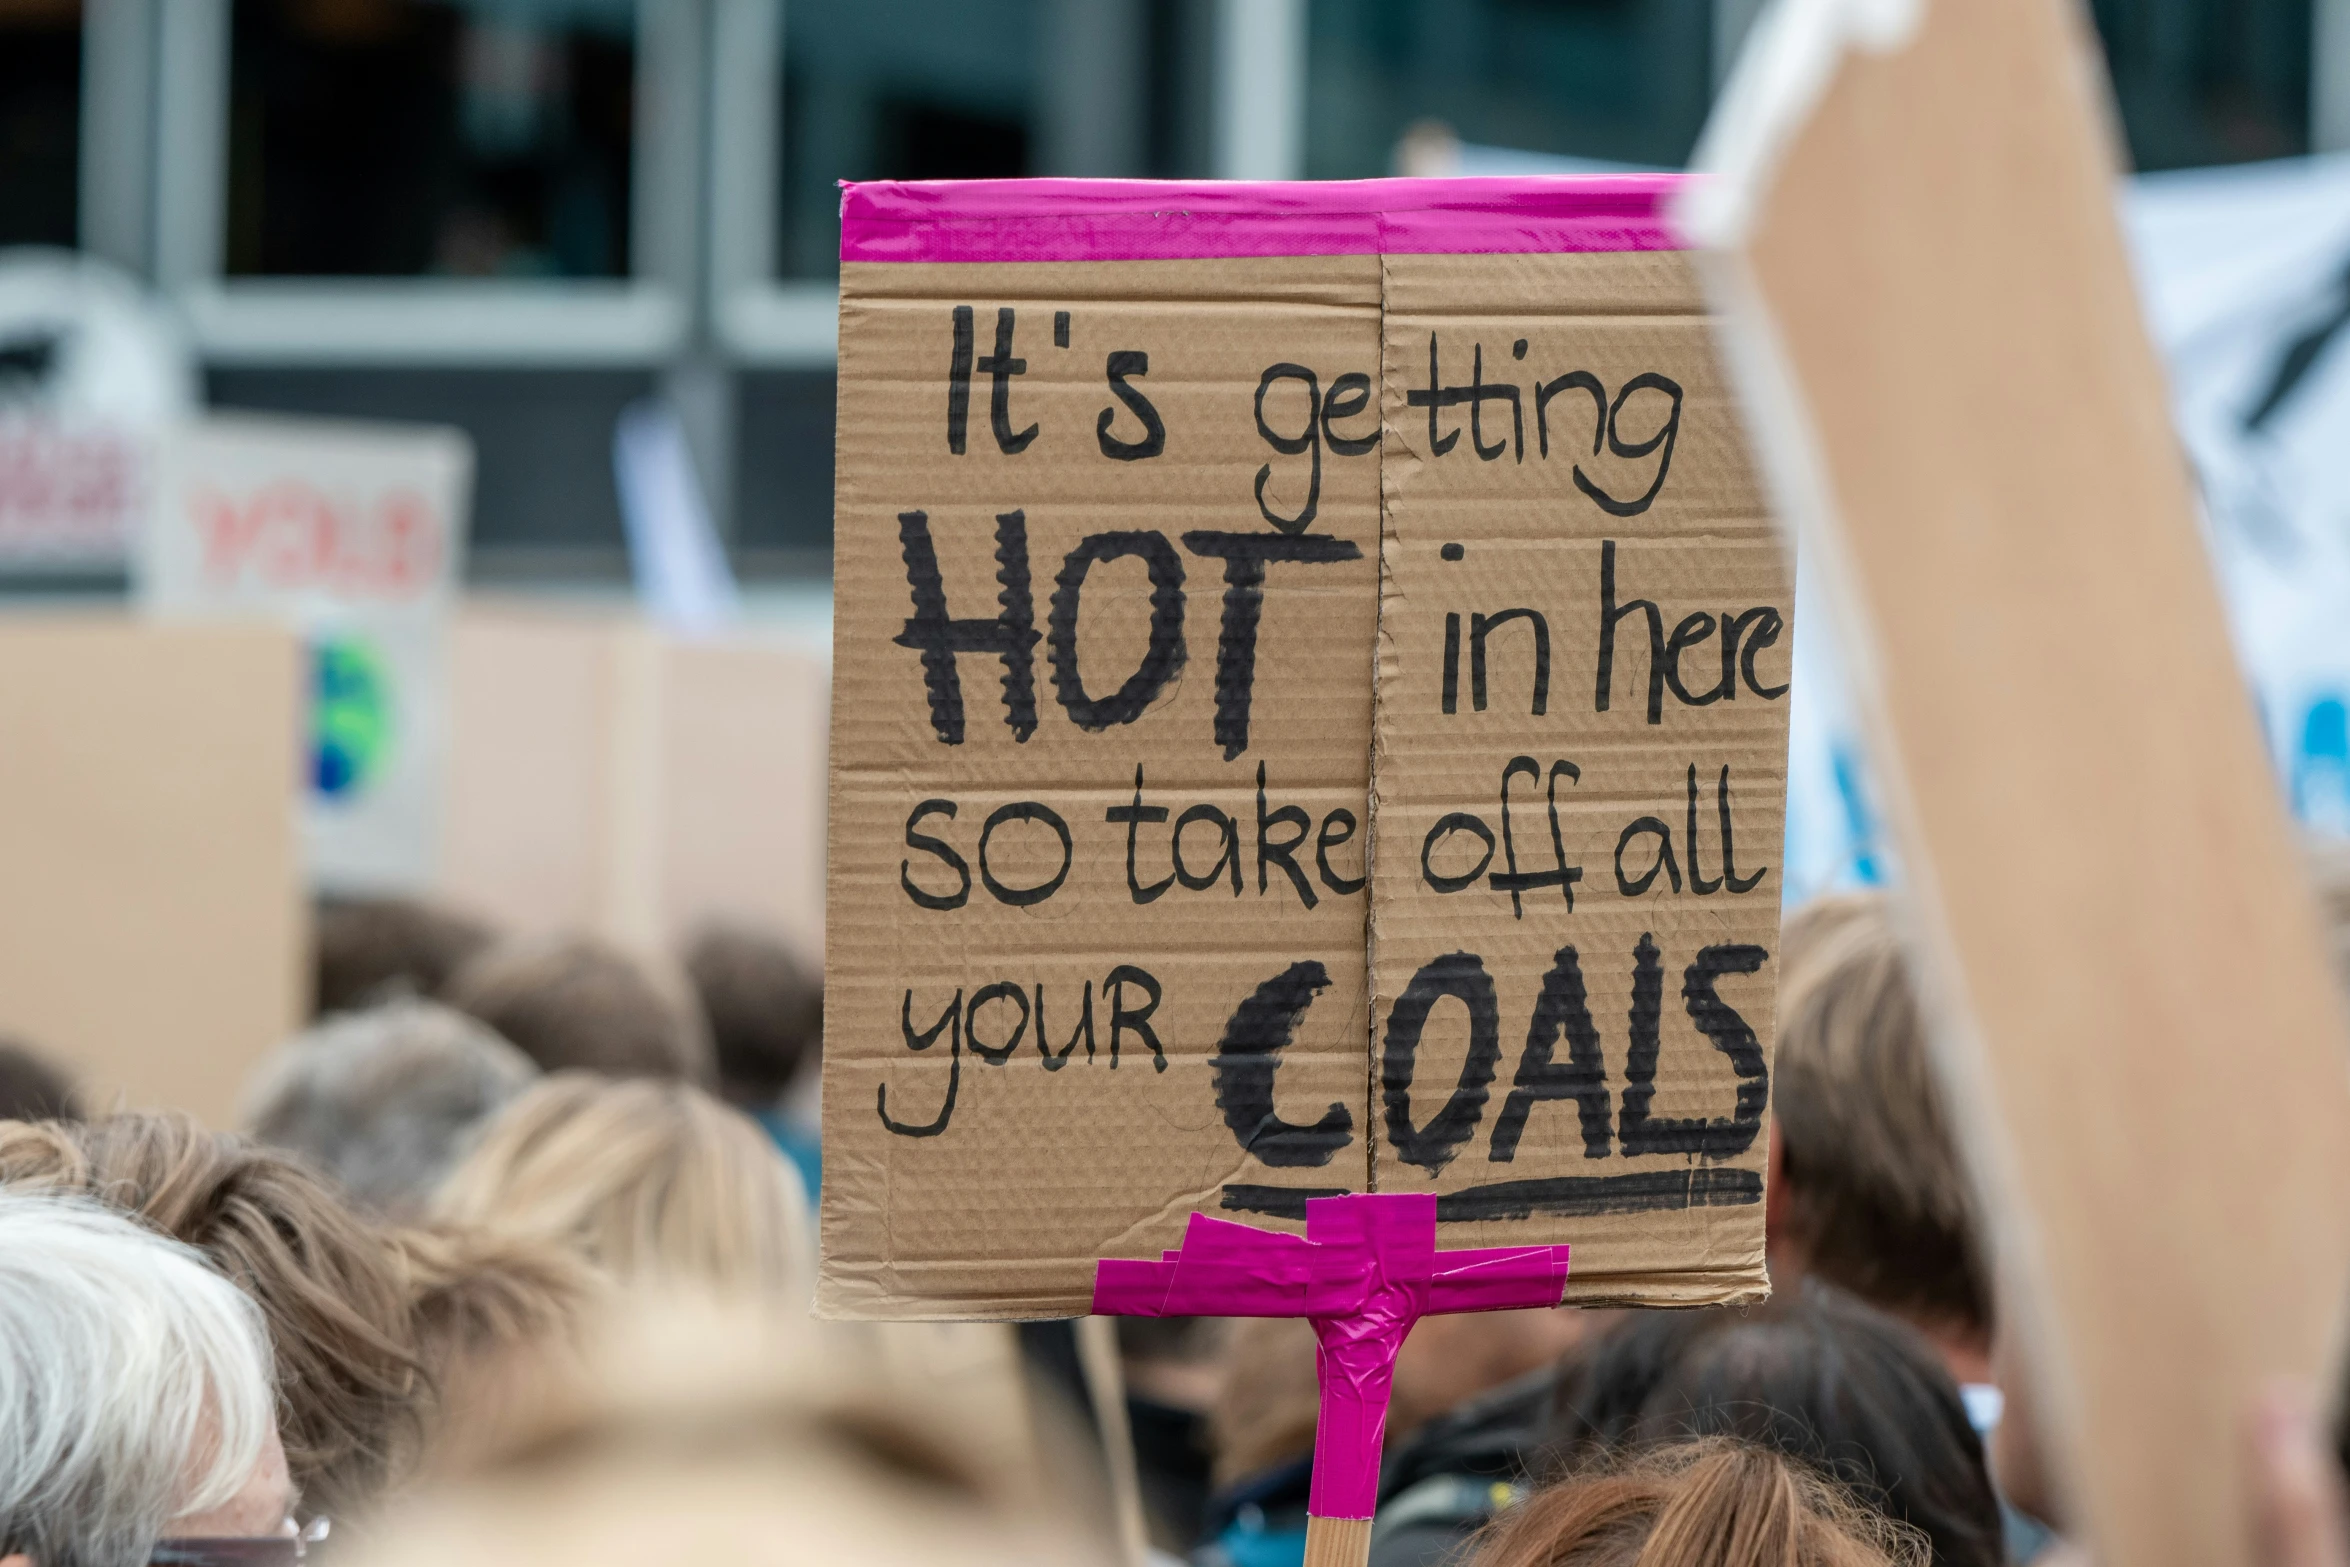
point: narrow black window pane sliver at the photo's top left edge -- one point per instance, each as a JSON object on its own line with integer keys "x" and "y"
{"x": 41, "y": 121}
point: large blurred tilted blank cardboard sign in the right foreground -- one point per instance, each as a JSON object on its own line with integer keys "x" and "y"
{"x": 1938, "y": 339}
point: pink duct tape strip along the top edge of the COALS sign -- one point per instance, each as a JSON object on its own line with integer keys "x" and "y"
{"x": 1136, "y": 220}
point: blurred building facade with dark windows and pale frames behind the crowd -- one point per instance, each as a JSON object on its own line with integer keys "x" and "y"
{"x": 525, "y": 215}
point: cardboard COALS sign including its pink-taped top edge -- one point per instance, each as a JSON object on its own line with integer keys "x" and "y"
{"x": 1106, "y": 922}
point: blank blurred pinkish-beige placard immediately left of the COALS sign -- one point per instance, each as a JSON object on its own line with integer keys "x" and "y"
{"x": 610, "y": 779}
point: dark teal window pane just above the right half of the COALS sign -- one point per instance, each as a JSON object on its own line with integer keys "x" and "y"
{"x": 1587, "y": 79}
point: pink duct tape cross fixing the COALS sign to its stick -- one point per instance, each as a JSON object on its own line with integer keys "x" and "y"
{"x": 1364, "y": 1272}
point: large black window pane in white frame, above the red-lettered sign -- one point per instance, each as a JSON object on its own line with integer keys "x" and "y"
{"x": 431, "y": 137}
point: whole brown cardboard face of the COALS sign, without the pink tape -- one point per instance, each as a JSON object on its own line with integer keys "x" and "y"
{"x": 969, "y": 1176}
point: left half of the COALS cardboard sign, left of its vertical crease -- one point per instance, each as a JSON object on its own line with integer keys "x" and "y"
{"x": 1042, "y": 1171}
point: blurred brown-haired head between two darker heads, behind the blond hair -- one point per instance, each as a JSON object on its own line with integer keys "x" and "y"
{"x": 582, "y": 1004}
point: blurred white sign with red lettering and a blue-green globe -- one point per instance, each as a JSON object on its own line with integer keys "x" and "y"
{"x": 354, "y": 534}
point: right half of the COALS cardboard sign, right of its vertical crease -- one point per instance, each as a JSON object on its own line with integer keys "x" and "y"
{"x": 1522, "y": 1152}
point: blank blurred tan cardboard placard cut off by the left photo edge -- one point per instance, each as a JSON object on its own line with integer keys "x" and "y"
{"x": 154, "y": 929}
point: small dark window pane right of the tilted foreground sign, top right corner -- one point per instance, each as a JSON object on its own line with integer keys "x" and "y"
{"x": 2210, "y": 81}
